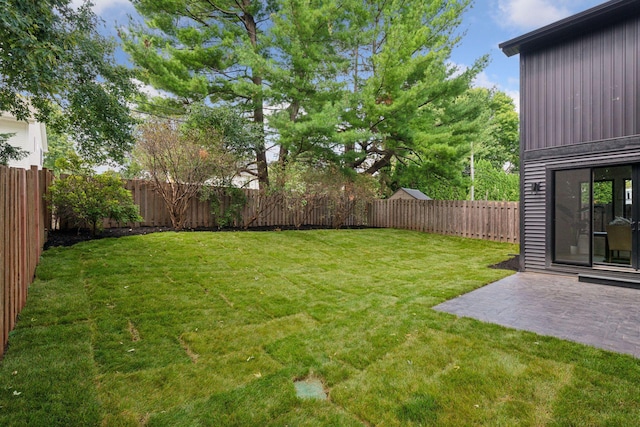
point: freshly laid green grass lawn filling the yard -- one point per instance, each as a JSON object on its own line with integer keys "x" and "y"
{"x": 211, "y": 329}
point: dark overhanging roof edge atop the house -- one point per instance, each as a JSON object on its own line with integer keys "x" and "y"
{"x": 587, "y": 21}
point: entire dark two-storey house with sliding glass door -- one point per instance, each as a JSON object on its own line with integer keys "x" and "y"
{"x": 580, "y": 143}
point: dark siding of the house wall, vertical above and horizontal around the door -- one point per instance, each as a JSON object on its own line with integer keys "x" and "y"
{"x": 575, "y": 92}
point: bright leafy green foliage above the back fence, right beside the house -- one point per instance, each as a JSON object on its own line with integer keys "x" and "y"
{"x": 484, "y": 162}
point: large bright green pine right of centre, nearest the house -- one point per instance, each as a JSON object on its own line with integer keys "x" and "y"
{"x": 405, "y": 92}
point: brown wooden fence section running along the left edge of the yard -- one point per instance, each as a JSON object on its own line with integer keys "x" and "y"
{"x": 24, "y": 219}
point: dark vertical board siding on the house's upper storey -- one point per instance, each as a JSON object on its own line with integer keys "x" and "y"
{"x": 582, "y": 90}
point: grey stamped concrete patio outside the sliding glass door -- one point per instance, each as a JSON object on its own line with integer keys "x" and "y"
{"x": 606, "y": 317}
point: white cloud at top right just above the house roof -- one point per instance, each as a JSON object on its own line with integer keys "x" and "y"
{"x": 529, "y": 14}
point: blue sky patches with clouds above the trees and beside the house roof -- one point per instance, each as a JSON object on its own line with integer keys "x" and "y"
{"x": 487, "y": 24}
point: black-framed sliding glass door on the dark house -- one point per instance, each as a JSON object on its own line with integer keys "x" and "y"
{"x": 595, "y": 216}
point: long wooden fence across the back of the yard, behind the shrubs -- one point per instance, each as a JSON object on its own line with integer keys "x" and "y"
{"x": 498, "y": 221}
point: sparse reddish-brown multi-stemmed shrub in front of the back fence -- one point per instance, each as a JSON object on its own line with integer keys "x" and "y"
{"x": 182, "y": 159}
